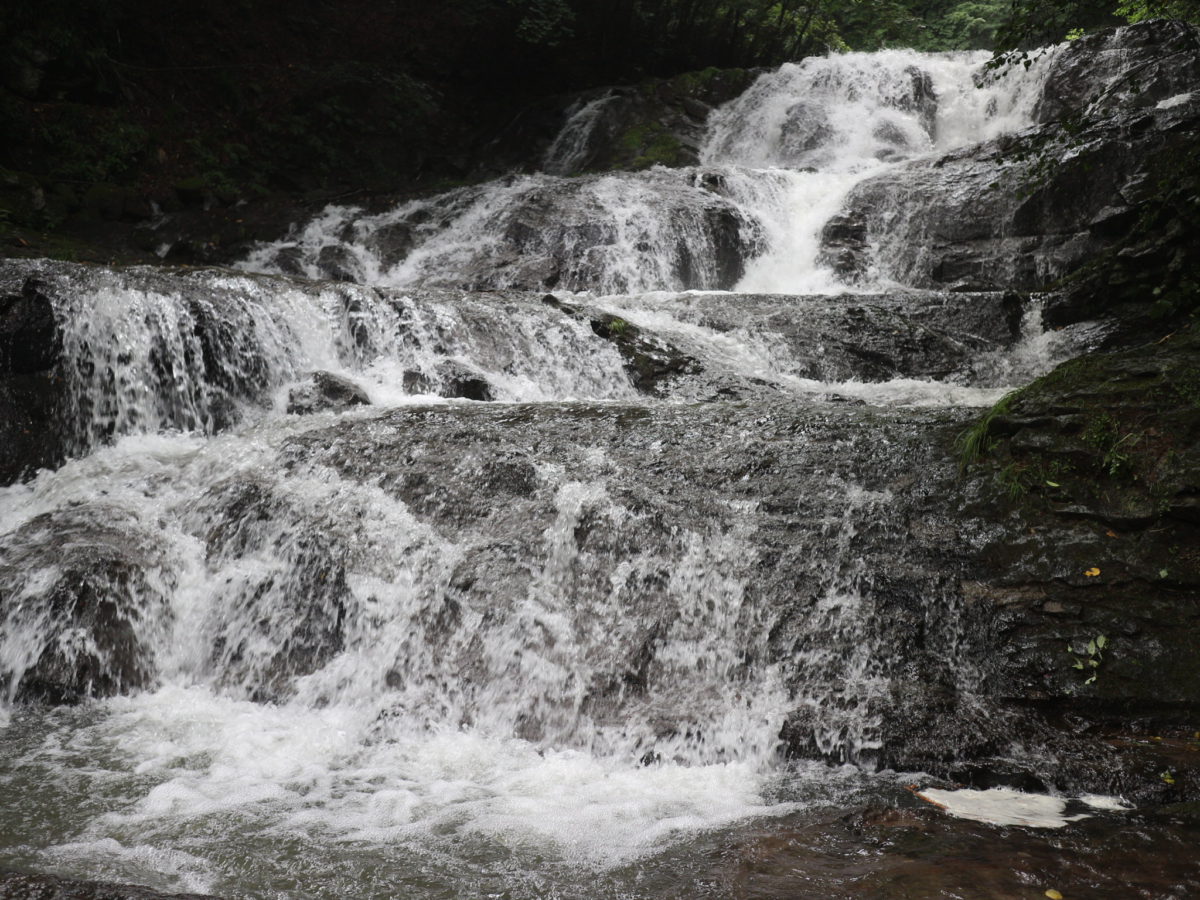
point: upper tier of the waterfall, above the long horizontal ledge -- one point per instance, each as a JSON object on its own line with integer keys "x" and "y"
{"x": 778, "y": 164}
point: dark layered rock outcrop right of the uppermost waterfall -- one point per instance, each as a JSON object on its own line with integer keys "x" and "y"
{"x": 1025, "y": 211}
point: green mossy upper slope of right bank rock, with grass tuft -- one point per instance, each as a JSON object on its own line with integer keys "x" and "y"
{"x": 1108, "y": 435}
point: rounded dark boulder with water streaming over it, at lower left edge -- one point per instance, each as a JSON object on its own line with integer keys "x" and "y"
{"x": 79, "y": 591}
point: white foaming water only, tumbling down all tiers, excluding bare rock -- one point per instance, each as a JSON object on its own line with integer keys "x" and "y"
{"x": 416, "y": 734}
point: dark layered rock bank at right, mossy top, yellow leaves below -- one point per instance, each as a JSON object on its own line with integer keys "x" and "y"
{"x": 1101, "y": 461}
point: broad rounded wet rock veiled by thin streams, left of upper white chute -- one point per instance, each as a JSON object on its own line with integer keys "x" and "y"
{"x": 562, "y": 235}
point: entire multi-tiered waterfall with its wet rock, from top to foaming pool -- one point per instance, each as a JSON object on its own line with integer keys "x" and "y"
{"x": 472, "y": 638}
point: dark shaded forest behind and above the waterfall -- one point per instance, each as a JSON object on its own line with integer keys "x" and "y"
{"x": 109, "y": 105}
